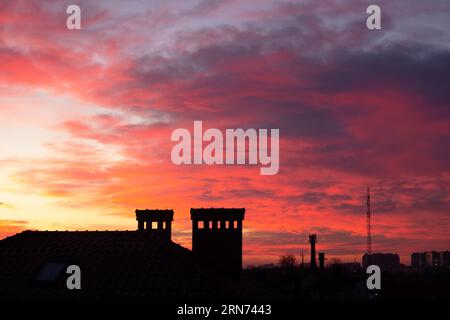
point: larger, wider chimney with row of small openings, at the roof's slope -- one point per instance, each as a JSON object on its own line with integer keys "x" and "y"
{"x": 217, "y": 238}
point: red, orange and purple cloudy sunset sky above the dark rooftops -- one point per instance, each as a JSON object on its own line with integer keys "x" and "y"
{"x": 86, "y": 118}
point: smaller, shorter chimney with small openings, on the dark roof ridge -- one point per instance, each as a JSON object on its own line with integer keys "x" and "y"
{"x": 156, "y": 222}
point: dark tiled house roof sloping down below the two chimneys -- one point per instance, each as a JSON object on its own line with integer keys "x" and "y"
{"x": 114, "y": 265}
